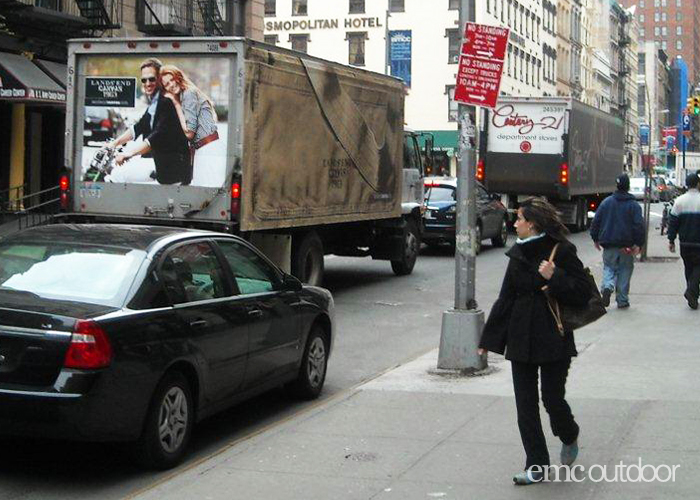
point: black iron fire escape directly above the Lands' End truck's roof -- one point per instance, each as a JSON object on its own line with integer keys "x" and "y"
{"x": 184, "y": 17}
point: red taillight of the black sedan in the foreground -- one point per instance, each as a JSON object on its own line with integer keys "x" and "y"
{"x": 89, "y": 347}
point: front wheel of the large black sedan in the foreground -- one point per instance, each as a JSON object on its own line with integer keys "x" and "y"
{"x": 314, "y": 365}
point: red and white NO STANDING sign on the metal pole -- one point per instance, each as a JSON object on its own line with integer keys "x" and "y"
{"x": 481, "y": 64}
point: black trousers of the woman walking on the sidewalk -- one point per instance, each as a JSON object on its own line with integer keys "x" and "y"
{"x": 525, "y": 382}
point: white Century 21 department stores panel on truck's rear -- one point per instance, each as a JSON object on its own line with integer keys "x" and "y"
{"x": 524, "y": 127}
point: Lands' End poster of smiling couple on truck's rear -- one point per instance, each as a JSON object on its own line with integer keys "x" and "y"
{"x": 154, "y": 121}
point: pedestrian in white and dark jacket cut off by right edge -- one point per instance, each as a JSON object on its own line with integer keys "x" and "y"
{"x": 685, "y": 222}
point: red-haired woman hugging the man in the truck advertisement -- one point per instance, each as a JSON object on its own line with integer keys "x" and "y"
{"x": 198, "y": 121}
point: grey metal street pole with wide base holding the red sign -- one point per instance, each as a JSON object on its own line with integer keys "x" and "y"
{"x": 461, "y": 326}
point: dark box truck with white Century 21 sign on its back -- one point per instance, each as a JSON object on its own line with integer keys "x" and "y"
{"x": 555, "y": 147}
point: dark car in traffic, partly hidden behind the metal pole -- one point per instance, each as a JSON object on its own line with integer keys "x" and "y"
{"x": 440, "y": 216}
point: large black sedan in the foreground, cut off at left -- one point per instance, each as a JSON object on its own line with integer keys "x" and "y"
{"x": 134, "y": 333}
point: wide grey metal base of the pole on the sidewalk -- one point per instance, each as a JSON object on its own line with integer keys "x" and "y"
{"x": 459, "y": 340}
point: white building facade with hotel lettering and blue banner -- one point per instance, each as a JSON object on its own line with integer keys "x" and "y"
{"x": 419, "y": 42}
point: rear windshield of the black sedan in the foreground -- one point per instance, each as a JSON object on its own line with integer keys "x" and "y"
{"x": 66, "y": 271}
